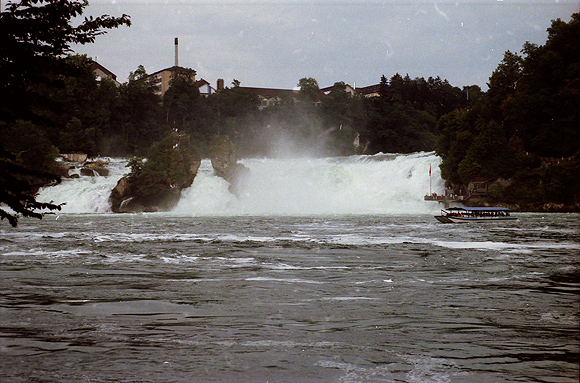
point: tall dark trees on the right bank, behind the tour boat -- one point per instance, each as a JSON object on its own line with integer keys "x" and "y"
{"x": 527, "y": 126}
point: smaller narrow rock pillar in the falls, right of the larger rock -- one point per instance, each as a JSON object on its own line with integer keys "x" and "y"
{"x": 223, "y": 160}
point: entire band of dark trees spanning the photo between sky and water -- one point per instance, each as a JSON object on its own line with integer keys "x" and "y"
{"x": 525, "y": 130}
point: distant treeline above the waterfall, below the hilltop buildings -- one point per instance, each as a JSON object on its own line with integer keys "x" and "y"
{"x": 81, "y": 113}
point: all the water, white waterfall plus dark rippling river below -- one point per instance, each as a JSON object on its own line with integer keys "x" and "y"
{"x": 296, "y": 289}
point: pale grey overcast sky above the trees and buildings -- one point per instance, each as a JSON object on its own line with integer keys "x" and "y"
{"x": 274, "y": 43}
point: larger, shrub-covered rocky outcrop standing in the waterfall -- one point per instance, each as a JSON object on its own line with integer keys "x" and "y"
{"x": 155, "y": 184}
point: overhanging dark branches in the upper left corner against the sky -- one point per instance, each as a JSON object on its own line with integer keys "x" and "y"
{"x": 34, "y": 37}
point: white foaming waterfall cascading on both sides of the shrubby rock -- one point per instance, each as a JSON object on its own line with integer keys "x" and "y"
{"x": 379, "y": 184}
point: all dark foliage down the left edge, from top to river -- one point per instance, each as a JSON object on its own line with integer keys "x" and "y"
{"x": 35, "y": 36}
